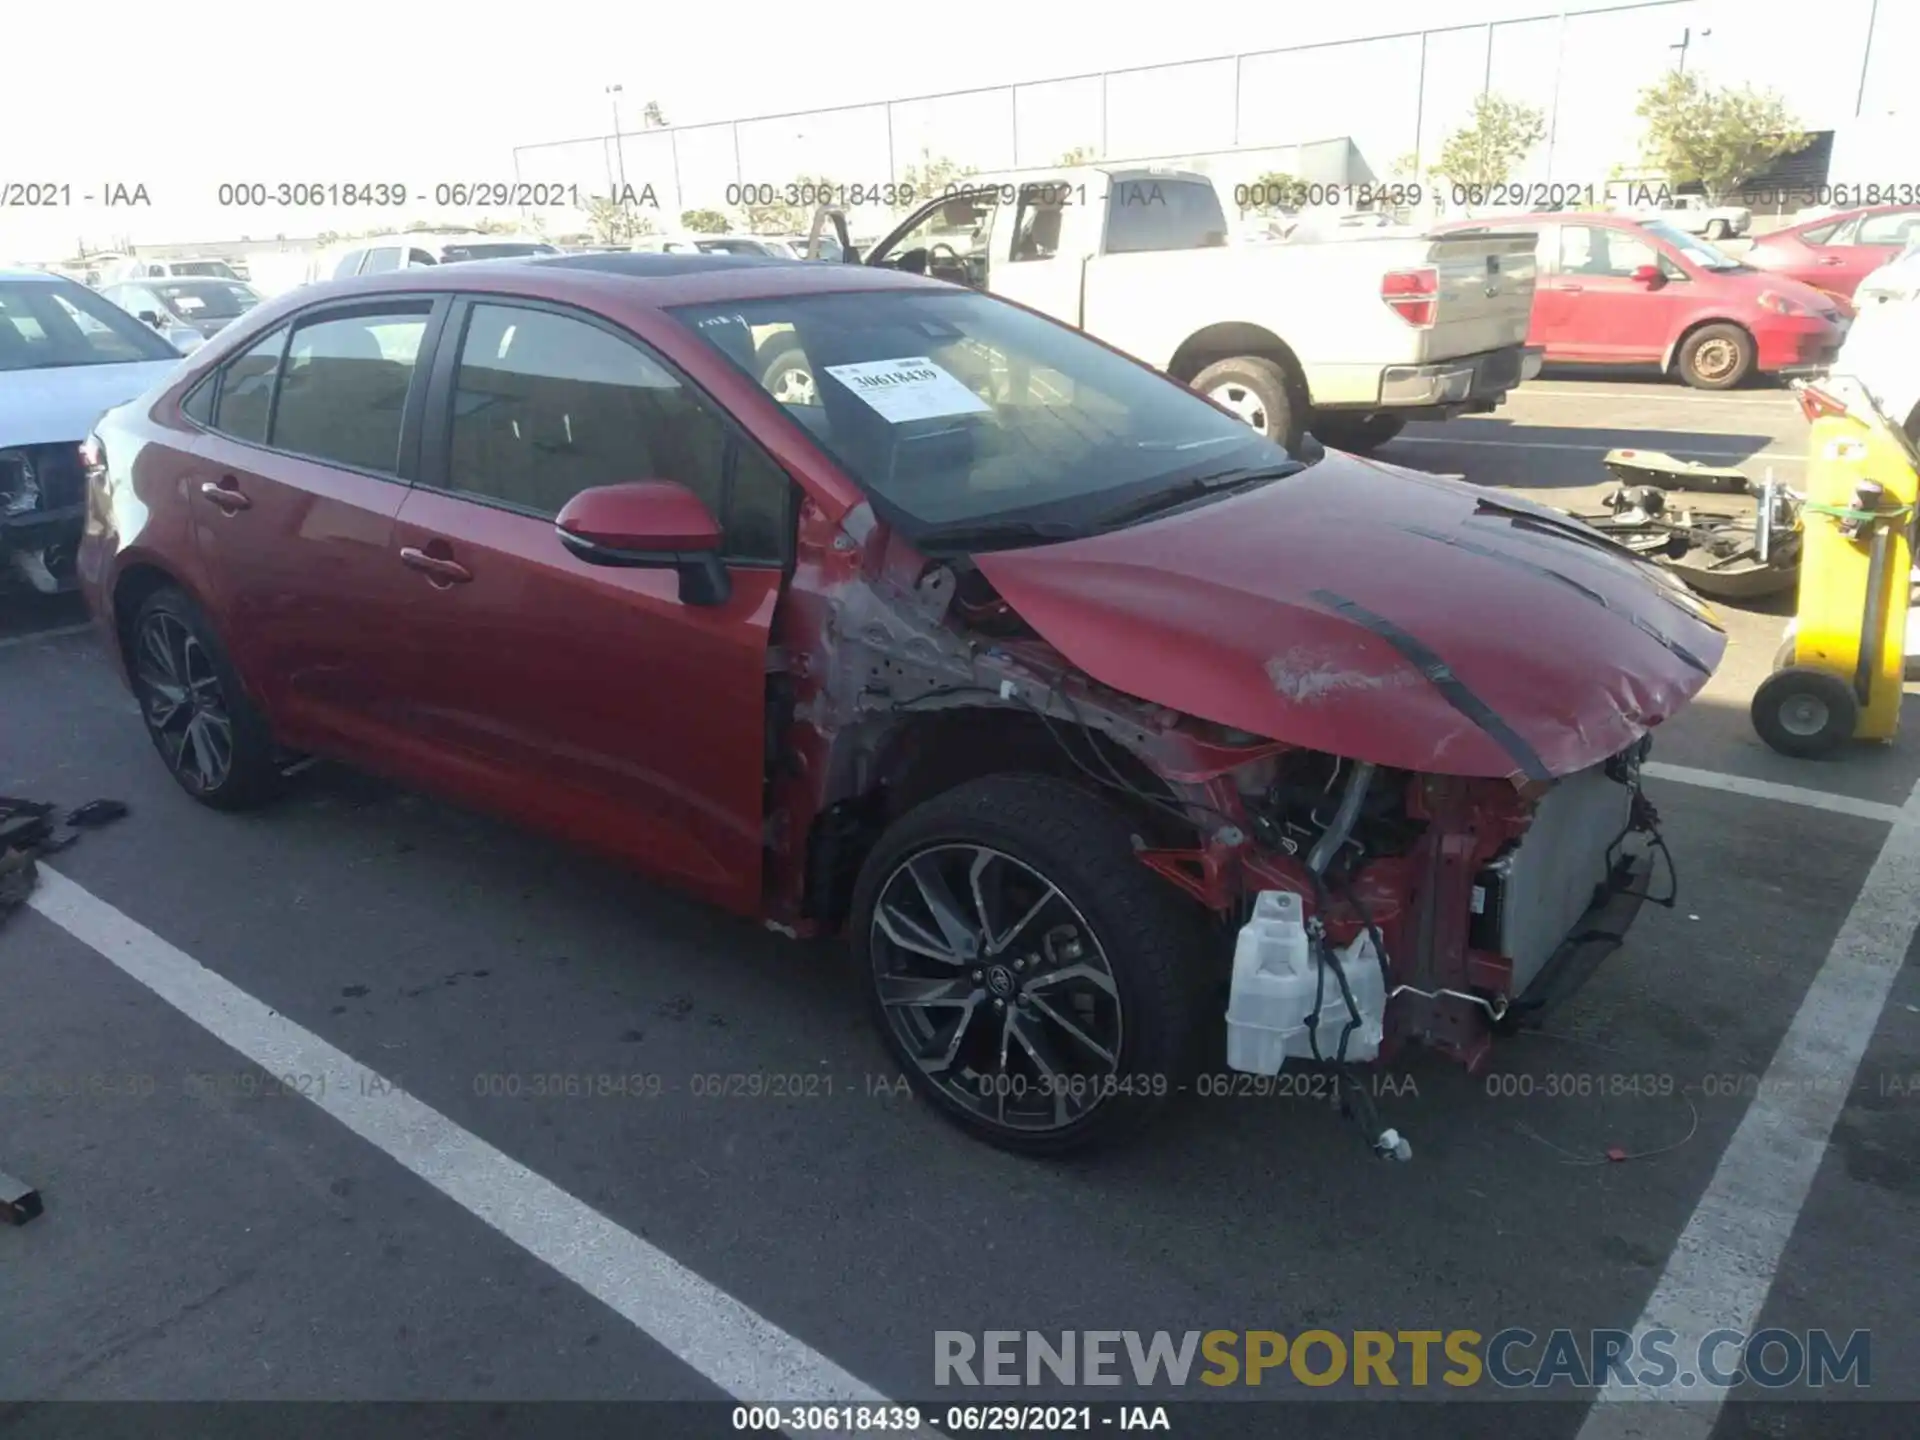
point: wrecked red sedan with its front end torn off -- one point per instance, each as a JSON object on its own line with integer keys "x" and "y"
{"x": 1015, "y": 661}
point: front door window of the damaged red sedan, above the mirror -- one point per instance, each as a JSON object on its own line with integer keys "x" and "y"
{"x": 548, "y": 406}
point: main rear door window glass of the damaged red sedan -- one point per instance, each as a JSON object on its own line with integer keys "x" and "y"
{"x": 345, "y": 387}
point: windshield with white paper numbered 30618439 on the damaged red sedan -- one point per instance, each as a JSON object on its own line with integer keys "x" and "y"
{"x": 955, "y": 412}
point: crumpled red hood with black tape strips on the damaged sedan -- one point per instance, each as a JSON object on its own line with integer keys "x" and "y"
{"x": 1381, "y": 615}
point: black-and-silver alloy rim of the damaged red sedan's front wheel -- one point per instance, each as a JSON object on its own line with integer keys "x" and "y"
{"x": 997, "y": 988}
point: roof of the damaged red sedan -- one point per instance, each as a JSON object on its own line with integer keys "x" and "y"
{"x": 656, "y": 281}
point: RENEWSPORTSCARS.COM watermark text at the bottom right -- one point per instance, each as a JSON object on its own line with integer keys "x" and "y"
{"x": 1512, "y": 1360}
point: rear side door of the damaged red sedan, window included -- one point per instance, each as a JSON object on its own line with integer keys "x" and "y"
{"x": 299, "y": 477}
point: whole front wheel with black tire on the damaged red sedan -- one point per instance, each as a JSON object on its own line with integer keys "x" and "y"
{"x": 1145, "y": 940}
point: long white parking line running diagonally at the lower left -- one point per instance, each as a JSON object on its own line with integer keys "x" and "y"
{"x": 696, "y": 1322}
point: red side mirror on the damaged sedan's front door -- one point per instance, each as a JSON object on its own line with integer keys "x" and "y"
{"x": 650, "y": 525}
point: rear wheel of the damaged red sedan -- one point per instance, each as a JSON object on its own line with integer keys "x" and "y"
{"x": 251, "y": 777}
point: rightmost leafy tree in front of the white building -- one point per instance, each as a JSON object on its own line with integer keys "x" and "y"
{"x": 1716, "y": 137}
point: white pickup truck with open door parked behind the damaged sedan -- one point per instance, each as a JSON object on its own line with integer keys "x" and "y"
{"x": 1349, "y": 339}
